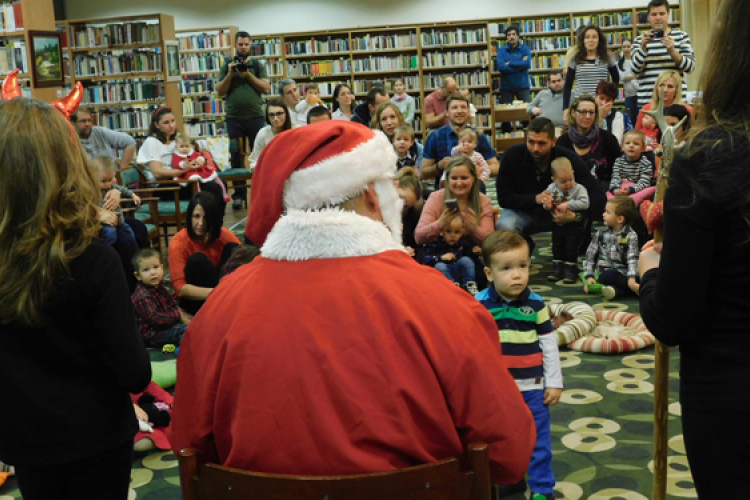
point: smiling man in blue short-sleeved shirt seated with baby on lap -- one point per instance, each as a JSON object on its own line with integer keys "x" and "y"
{"x": 437, "y": 149}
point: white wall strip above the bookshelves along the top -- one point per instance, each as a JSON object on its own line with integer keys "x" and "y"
{"x": 285, "y": 16}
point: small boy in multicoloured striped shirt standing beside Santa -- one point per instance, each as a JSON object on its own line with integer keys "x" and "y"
{"x": 529, "y": 344}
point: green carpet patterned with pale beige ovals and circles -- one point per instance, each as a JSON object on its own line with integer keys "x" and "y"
{"x": 602, "y": 430}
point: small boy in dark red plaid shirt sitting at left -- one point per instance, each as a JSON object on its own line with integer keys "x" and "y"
{"x": 159, "y": 319}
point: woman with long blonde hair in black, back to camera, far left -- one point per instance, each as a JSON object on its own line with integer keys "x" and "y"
{"x": 68, "y": 339}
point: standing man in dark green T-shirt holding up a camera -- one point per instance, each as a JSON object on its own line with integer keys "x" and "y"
{"x": 243, "y": 81}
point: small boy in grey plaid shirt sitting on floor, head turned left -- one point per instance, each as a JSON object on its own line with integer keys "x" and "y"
{"x": 613, "y": 252}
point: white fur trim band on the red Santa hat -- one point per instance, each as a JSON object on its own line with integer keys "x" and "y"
{"x": 339, "y": 177}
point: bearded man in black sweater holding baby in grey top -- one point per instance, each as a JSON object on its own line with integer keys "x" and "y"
{"x": 525, "y": 173}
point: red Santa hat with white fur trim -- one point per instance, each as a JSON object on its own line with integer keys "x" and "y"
{"x": 315, "y": 166}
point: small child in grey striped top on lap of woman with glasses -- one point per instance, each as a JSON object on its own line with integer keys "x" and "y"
{"x": 632, "y": 172}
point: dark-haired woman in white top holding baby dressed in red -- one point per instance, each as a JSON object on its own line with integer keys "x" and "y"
{"x": 155, "y": 155}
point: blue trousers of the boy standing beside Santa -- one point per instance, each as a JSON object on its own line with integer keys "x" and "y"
{"x": 541, "y": 478}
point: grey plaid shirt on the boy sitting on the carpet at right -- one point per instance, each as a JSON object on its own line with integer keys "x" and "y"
{"x": 610, "y": 250}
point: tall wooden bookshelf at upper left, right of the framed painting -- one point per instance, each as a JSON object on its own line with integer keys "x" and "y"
{"x": 120, "y": 62}
